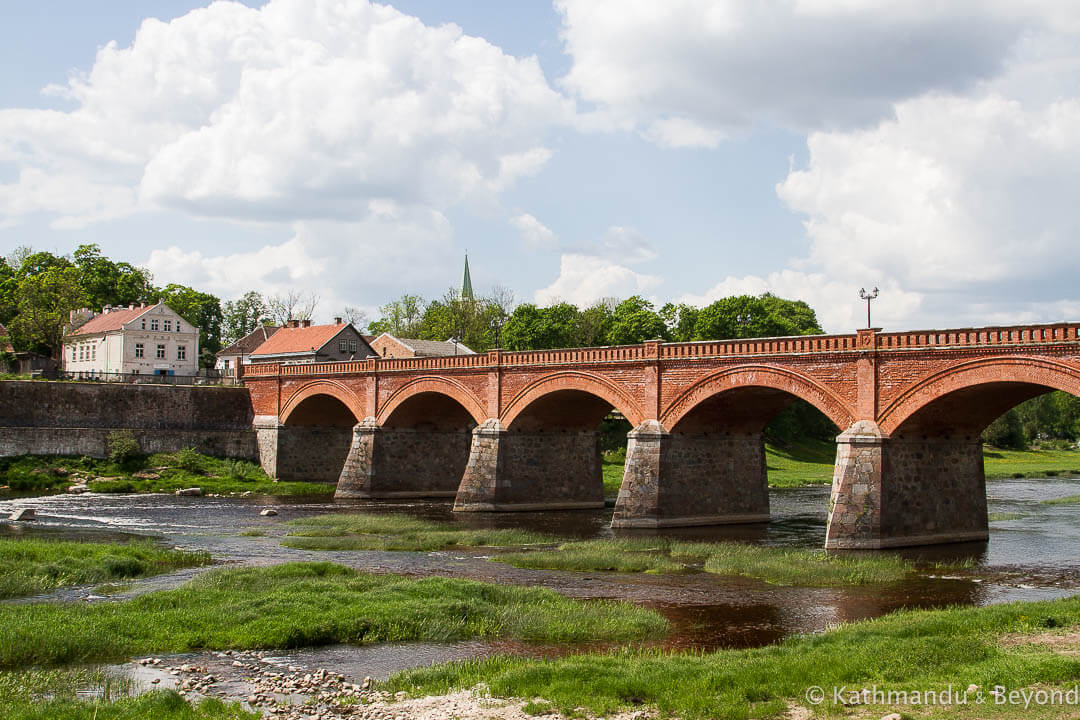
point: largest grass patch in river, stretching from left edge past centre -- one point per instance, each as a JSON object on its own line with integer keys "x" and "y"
{"x": 306, "y": 605}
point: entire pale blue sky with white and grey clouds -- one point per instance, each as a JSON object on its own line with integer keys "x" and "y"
{"x": 683, "y": 151}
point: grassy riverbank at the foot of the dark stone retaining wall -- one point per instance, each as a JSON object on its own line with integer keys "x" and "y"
{"x": 166, "y": 472}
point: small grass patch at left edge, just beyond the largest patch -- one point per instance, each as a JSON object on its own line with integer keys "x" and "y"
{"x": 29, "y": 567}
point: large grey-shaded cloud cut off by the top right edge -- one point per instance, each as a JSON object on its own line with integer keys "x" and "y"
{"x": 688, "y": 73}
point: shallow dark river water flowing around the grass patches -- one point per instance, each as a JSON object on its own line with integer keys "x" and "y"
{"x": 1036, "y": 556}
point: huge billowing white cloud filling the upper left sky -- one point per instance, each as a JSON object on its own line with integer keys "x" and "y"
{"x": 303, "y": 110}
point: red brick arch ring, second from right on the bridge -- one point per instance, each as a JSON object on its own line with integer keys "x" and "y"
{"x": 760, "y": 376}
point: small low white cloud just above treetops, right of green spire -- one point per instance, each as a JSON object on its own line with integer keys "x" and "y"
{"x": 586, "y": 279}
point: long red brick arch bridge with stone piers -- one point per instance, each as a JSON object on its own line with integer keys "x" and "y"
{"x": 516, "y": 431}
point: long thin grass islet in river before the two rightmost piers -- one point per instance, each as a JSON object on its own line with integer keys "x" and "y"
{"x": 812, "y": 568}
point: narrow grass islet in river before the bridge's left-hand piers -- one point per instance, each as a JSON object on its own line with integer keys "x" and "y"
{"x": 397, "y": 533}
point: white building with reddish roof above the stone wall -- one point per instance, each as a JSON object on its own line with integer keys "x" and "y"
{"x": 134, "y": 341}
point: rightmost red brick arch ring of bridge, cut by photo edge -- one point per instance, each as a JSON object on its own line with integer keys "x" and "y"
{"x": 1051, "y": 374}
